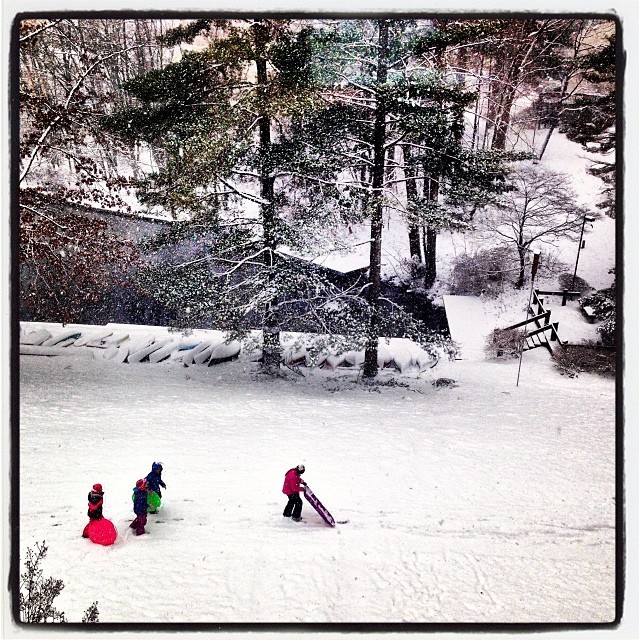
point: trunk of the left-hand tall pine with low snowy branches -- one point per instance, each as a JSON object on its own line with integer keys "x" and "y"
{"x": 271, "y": 351}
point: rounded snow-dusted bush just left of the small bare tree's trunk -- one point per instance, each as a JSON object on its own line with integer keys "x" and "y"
{"x": 482, "y": 272}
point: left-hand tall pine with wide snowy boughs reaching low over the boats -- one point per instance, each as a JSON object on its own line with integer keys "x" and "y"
{"x": 239, "y": 163}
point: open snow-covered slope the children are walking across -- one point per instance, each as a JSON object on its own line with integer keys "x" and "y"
{"x": 483, "y": 502}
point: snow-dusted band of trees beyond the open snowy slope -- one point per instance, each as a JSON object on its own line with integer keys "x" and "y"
{"x": 265, "y": 139}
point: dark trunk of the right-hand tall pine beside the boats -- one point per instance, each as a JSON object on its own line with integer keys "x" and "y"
{"x": 371, "y": 351}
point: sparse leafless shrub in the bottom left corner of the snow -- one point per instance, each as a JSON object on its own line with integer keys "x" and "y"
{"x": 37, "y": 593}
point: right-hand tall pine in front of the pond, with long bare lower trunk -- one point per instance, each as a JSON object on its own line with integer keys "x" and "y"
{"x": 376, "y": 105}
